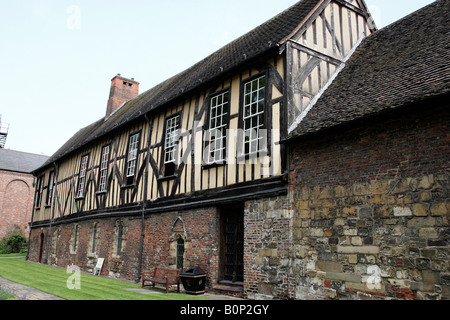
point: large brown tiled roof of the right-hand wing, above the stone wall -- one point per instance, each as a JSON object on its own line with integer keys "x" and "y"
{"x": 406, "y": 62}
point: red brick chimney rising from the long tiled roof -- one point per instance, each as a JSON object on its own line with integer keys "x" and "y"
{"x": 122, "y": 90}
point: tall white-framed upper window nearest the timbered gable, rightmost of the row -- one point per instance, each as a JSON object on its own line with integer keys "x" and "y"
{"x": 254, "y": 115}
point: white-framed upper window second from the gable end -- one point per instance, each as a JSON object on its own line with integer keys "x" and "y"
{"x": 217, "y": 132}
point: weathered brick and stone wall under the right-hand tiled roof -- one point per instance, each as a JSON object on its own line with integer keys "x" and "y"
{"x": 372, "y": 210}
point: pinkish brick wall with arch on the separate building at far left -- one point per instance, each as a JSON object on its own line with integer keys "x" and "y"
{"x": 16, "y": 201}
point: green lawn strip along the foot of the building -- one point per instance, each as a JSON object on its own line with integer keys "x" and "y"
{"x": 54, "y": 281}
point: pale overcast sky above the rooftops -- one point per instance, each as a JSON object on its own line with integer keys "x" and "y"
{"x": 58, "y": 57}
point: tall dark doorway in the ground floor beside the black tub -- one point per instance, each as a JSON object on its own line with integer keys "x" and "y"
{"x": 232, "y": 245}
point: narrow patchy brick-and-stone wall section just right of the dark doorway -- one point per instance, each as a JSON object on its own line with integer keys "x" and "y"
{"x": 268, "y": 249}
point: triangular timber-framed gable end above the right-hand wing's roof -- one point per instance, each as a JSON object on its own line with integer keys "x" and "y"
{"x": 318, "y": 49}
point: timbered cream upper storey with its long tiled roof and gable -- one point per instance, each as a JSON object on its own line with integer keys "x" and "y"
{"x": 213, "y": 132}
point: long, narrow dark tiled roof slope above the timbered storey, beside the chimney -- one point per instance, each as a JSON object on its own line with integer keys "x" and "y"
{"x": 255, "y": 43}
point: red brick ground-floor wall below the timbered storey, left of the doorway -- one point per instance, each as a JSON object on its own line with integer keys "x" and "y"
{"x": 201, "y": 243}
